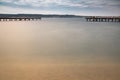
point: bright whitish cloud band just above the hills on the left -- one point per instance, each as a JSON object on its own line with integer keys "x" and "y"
{"x": 6, "y": 9}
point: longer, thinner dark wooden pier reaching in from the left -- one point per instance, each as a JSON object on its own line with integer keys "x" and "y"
{"x": 19, "y": 18}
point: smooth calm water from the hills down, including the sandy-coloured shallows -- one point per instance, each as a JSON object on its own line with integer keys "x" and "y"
{"x": 33, "y": 49}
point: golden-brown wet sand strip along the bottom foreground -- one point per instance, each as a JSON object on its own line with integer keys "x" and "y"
{"x": 33, "y": 71}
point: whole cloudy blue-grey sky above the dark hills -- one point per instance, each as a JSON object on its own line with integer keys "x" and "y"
{"x": 77, "y": 7}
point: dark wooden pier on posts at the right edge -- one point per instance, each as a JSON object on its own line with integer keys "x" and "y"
{"x": 102, "y": 19}
